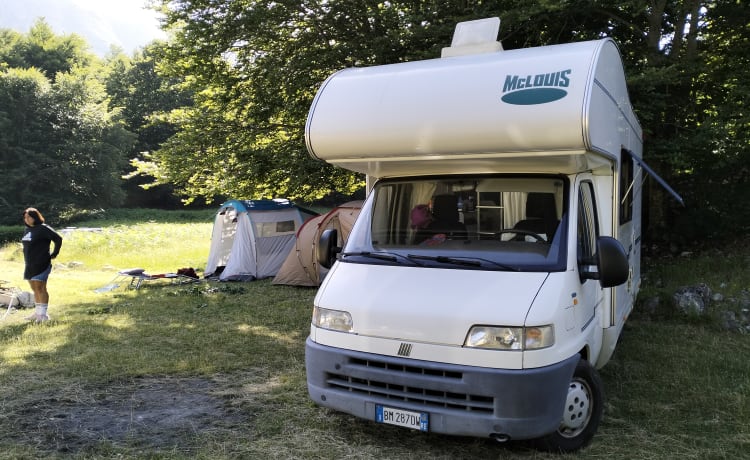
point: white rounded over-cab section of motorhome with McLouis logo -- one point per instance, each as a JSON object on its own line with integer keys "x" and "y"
{"x": 558, "y": 109}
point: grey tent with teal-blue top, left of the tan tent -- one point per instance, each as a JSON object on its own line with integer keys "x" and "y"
{"x": 251, "y": 238}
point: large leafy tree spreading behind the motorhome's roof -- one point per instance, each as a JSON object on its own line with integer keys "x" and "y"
{"x": 255, "y": 68}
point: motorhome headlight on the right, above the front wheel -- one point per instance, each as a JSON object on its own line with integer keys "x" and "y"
{"x": 510, "y": 338}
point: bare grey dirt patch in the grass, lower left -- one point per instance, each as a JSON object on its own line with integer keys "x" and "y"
{"x": 161, "y": 413}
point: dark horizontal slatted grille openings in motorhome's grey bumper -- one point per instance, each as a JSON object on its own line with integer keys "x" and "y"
{"x": 412, "y": 388}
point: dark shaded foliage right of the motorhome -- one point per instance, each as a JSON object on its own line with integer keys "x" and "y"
{"x": 688, "y": 89}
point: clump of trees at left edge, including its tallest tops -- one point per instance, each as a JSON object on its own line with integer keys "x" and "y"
{"x": 61, "y": 147}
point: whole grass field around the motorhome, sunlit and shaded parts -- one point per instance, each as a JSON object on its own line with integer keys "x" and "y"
{"x": 216, "y": 370}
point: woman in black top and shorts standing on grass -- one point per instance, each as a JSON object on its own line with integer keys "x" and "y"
{"x": 36, "y": 243}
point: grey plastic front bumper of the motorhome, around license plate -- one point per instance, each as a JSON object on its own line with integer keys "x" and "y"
{"x": 460, "y": 400}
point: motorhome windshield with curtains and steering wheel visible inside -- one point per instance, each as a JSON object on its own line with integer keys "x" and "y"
{"x": 470, "y": 222}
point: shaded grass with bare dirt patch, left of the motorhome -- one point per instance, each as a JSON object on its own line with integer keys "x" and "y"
{"x": 205, "y": 370}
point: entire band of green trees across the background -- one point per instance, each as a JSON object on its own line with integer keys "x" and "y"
{"x": 219, "y": 109}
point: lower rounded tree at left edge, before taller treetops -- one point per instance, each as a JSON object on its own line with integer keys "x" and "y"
{"x": 60, "y": 146}
